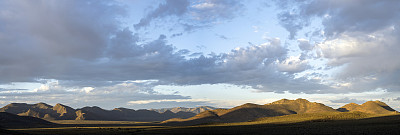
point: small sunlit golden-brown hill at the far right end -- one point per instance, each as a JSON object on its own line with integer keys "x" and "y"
{"x": 372, "y": 107}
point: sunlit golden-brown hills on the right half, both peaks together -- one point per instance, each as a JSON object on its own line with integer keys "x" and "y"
{"x": 250, "y": 111}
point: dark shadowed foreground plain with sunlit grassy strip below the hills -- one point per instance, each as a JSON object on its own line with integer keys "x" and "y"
{"x": 323, "y": 123}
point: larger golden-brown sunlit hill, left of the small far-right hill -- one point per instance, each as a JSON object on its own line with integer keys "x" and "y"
{"x": 250, "y": 111}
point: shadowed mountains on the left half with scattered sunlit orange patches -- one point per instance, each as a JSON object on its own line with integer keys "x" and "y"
{"x": 63, "y": 112}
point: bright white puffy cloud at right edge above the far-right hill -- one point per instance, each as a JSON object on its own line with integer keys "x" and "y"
{"x": 365, "y": 58}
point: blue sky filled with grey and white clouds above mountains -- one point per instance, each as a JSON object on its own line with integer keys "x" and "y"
{"x": 144, "y": 54}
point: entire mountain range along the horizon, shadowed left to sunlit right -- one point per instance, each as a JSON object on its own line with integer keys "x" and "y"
{"x": 190, "y": 116}
